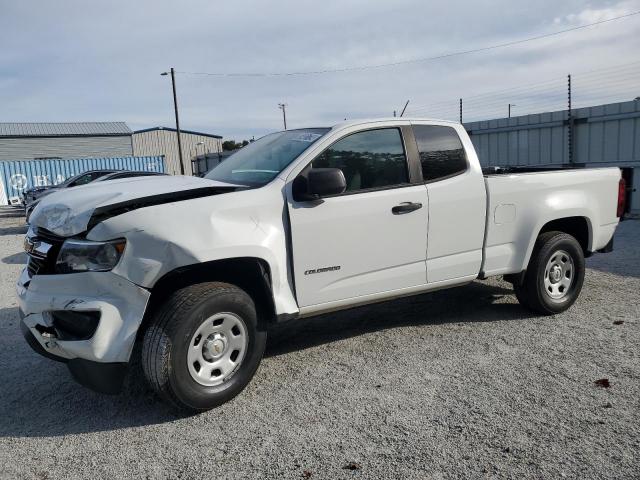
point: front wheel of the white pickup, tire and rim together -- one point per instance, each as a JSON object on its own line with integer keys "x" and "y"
{"x": 203, "y": 346}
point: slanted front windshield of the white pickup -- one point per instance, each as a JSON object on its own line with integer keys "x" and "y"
{"x": 261, "y": 161}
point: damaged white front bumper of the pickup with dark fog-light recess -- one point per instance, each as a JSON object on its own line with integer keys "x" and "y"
{"x": 89, "y": 320}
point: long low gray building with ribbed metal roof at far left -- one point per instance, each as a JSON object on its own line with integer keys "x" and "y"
{"x": 34, "y": 141}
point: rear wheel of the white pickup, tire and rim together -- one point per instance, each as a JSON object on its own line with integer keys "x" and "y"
{"x": 554, "y": 276}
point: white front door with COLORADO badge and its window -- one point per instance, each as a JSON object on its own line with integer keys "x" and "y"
{"x": 370, "y": 239}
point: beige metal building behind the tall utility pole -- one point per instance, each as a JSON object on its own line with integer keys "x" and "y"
{"x": 163, "y": 141}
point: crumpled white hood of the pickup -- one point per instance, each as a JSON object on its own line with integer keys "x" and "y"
{"x": 69, "y": 211}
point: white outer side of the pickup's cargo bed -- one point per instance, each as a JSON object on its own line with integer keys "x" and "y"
{"x": 520, "y": 202}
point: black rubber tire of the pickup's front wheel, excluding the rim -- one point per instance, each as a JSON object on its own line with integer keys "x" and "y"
{"x": 167, "y": 340}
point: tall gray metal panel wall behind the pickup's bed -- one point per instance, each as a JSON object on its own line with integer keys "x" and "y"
{"x": 602, "y": 135}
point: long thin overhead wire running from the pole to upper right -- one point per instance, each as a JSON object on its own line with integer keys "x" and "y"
{"x": 415, "y": 60}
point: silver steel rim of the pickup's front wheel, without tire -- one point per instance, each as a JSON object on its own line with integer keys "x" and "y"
{"x": 217, "y": 349}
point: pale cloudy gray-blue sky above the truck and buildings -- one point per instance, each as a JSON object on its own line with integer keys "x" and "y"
{"x": 81, "y": 60}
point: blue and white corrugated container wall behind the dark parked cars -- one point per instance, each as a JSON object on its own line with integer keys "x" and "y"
{"x": 16, "y": 176}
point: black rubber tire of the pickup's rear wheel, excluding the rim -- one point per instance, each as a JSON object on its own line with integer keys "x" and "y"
{"x": 533, "y": 294}
